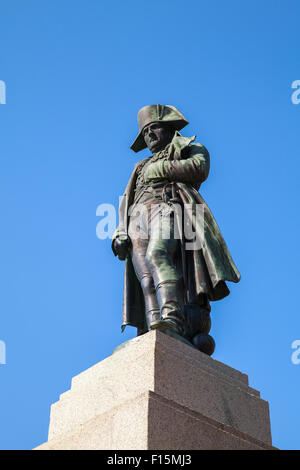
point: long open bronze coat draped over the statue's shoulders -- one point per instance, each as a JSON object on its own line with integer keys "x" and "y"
{"x": 209, "y": 267}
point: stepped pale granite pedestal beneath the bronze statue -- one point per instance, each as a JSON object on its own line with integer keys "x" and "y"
{"x": 158, "y": 393}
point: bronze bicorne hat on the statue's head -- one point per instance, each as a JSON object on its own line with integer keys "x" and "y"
{"x": 157, "y": 113}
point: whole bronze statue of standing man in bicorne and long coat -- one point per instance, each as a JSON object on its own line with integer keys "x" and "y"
{"x": 169, "y": 281}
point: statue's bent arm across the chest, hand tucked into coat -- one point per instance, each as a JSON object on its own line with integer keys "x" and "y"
{"x": 193, "y": 169}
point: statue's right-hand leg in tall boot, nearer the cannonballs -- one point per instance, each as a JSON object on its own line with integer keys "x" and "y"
{"x": 160, "y": 257}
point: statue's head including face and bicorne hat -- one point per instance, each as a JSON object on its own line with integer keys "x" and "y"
{"x": 157, "y": 124}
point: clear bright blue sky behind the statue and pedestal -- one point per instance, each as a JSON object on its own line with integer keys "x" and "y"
{"x": 76, "y": 74}
